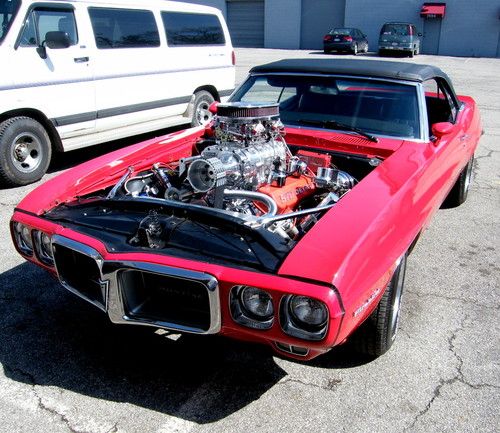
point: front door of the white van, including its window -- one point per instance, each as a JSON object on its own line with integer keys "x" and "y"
{"x": 57, "y": 82}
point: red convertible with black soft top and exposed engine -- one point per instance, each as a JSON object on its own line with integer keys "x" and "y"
{"x": 288, "y": 220}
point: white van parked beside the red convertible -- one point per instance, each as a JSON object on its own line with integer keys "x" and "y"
{"x": 76, "y": 73}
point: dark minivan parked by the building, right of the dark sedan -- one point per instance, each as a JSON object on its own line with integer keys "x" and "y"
{"x": 401, "y": 37}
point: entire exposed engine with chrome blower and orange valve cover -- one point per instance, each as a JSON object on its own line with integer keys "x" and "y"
{"x": 245, "y": 169}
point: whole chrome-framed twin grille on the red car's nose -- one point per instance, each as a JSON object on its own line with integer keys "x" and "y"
{"x": 139, "y": 292}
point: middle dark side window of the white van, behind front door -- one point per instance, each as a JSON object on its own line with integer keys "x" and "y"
{"x": 124, "y": 28}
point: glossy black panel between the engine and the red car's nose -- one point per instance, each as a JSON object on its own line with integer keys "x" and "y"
{"x": 197, "y": 234}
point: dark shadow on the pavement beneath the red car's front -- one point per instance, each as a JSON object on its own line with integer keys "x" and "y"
{"x": 49, "y": 337}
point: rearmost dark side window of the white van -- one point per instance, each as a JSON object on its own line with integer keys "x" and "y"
{"x": 192, "y": 29}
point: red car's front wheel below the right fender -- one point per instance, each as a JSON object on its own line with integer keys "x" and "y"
{"x": 377, "y": 334}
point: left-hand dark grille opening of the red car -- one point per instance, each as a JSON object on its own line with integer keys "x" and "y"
{"x": 79, "y": 273}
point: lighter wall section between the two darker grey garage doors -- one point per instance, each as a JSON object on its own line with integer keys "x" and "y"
{"x": 282, "y": 24}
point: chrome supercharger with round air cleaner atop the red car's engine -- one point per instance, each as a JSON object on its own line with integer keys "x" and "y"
{"x": 249, "y": 152}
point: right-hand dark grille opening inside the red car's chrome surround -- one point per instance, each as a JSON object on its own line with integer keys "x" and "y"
{"x": 165, "y": 300}
